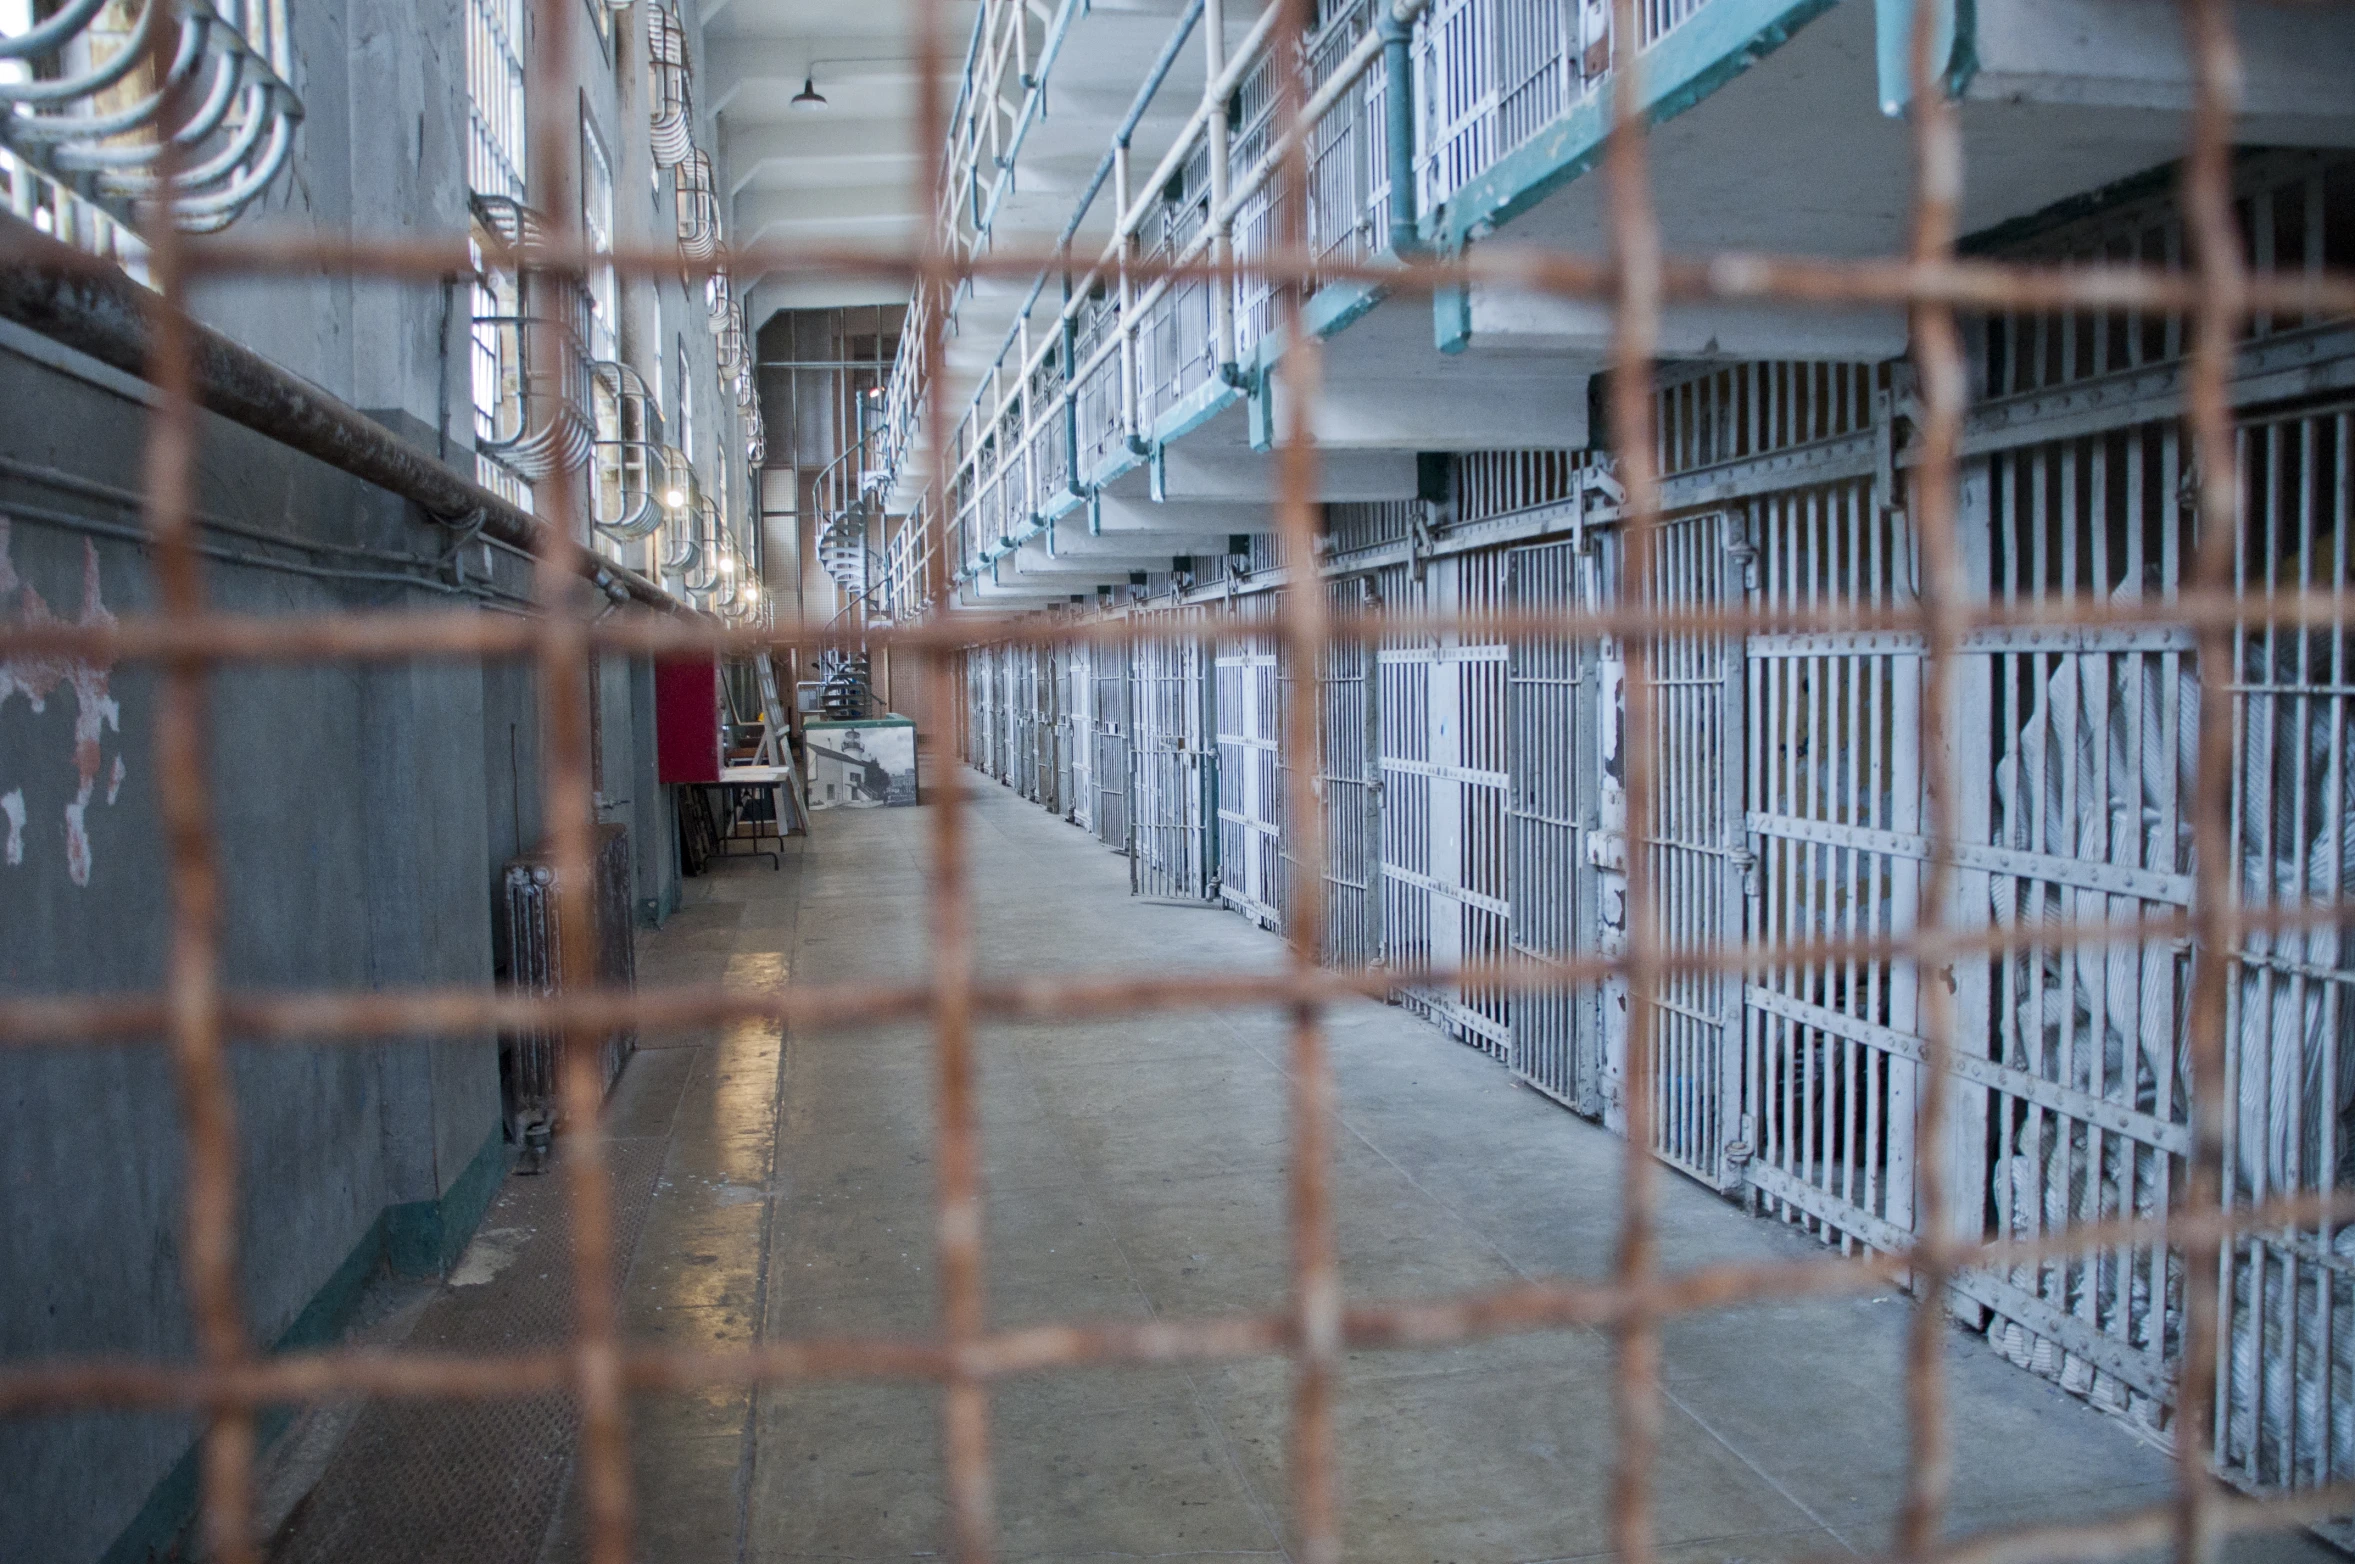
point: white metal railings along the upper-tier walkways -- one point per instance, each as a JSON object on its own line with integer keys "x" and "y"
{"x": 1485, "y": 79}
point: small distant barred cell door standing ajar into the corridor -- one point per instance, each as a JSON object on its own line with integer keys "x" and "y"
{"x": 1172, "y": 776}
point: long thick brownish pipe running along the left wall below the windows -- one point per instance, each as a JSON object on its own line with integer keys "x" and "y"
{"x": 100, "y": 312}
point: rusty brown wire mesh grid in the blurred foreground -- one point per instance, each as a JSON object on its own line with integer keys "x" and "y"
{"x": 597, "y": 1367}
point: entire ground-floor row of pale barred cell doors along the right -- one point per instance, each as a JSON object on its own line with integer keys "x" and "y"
{"x": 1475, "y": 809}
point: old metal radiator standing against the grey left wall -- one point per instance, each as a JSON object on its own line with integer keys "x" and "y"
{"x": 536, "y": 967}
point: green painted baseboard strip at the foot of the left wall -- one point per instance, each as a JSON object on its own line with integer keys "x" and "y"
{"x": 411, "y": 1240}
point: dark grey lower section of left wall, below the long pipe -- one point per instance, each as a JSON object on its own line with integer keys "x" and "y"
{"x": 361, "y": 819}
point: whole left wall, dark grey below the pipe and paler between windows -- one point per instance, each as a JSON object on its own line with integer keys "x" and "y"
{"x": 361, "y": 811}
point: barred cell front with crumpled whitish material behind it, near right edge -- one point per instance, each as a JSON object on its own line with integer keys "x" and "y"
{"x": 2085, "y": 816}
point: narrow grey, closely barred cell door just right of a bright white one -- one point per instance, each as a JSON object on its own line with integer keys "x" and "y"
{"x": 1548, "y": 814}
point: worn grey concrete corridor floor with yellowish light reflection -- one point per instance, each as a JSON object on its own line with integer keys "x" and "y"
{"x": 1136, "y": 1172}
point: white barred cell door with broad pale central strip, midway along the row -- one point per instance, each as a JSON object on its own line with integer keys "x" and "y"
{"x": 1442, "y": 755}
